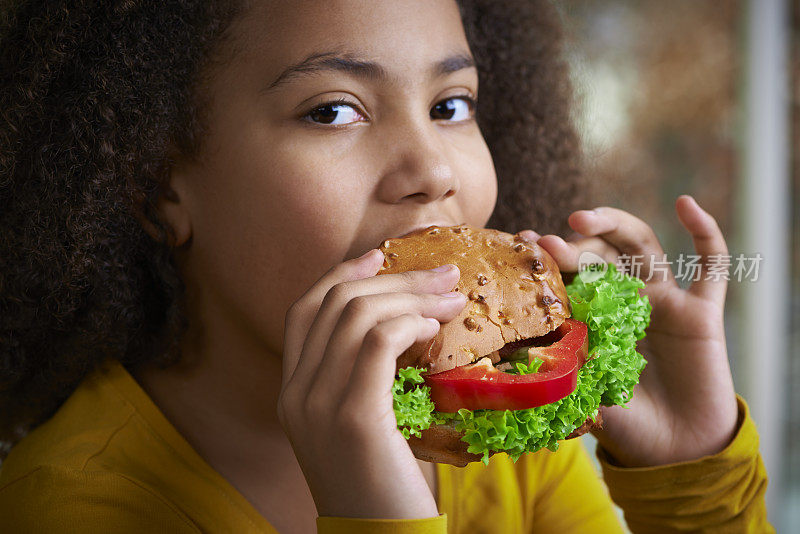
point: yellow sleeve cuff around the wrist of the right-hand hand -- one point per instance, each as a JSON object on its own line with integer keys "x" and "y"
{"x": 719, "y": 493}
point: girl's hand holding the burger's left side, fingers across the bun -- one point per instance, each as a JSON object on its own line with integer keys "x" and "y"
{"x": 342, "y": 339}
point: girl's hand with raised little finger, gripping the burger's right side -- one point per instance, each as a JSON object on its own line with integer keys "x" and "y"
{"x": 684, "y": 406}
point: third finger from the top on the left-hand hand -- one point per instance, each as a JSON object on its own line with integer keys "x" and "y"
{"x": 362, "y": 314}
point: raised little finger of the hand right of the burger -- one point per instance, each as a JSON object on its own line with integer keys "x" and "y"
{"x": 710, "y": 244}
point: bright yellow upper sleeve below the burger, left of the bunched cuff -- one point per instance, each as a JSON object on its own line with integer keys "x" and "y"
{"x": 567, "y": 492}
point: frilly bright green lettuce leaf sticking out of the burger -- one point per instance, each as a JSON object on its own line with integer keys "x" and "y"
{"x": 616, "y": 314}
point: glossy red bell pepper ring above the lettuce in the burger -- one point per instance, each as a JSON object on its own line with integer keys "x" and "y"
{"x": 482, "y": 386}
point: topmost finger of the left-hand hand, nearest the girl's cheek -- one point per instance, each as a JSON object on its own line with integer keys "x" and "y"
{"x": 301, "y": 314}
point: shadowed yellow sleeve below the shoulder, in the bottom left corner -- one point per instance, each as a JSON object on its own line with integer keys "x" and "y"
{"x": 59, "y": 499}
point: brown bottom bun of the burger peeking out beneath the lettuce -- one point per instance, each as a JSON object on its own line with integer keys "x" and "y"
{"x": 442, "y": 443}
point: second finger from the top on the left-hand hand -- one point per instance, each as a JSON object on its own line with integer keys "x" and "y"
{"x": 428, "y": 281}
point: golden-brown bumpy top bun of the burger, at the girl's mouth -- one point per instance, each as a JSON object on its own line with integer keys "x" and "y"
{"x": 514, "y": 288}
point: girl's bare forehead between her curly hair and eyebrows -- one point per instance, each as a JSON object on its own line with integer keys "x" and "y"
{"x": 404, "y": 36}
